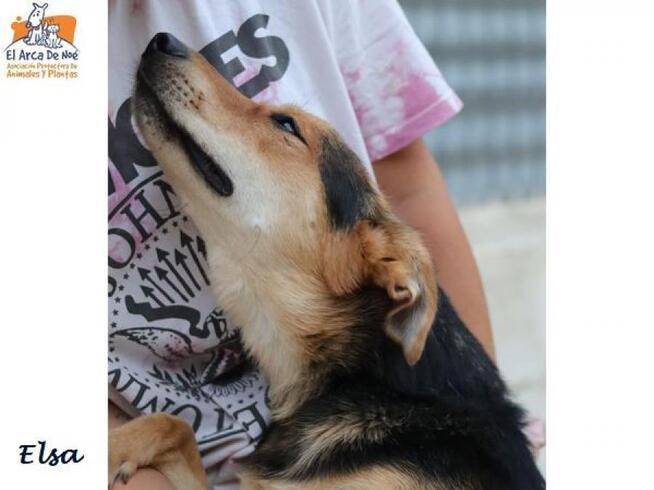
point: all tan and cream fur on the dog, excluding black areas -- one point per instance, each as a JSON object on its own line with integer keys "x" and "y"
{"x": 277, "y": 266}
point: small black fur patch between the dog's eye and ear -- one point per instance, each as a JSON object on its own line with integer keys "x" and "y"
{"x": 349, "y": 193}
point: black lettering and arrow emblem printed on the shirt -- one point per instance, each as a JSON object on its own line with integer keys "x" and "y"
{"x": 170, "y": 347}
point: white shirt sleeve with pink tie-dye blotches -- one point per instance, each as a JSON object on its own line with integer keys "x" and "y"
{"x": 396, "y": 89}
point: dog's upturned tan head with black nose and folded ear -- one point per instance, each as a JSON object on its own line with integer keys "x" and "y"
{"x": 288, "y": 205}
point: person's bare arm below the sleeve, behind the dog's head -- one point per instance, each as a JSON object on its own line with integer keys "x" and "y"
{"x": 412, "y": 182}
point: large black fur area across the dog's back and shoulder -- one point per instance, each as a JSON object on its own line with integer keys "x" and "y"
{"x": 447, "y": 419}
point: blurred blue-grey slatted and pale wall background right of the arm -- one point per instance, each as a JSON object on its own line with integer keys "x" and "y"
{"x": 492, "y": 52}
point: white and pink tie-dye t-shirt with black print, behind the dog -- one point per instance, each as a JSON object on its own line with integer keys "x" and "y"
{"x": 357, "y": 64}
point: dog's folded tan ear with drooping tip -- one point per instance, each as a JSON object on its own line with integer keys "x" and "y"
{"x": 391, "y": 256}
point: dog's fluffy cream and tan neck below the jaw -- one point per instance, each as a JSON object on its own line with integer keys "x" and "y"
{"x": 287, "y": 319}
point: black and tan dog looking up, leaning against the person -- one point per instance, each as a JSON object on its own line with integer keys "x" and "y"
{"x": 375, "y": 382}
